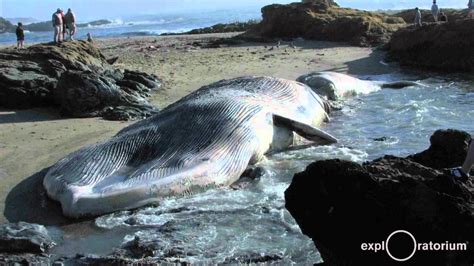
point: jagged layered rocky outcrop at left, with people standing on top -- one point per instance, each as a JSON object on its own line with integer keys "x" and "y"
{"x": 77, "y": 79}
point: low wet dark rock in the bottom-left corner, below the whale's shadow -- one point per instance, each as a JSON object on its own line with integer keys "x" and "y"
{"x": 24, "y": 238}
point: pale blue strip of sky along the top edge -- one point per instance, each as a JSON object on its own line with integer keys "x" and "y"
{"x": 97, "y": 9}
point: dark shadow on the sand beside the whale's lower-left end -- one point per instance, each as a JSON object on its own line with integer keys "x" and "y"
{"x": 28, "y": 202}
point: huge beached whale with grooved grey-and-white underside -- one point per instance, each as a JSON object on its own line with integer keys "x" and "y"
{"x": 207, "y": 139}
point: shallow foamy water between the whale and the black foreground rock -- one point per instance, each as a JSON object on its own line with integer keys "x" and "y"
{"x": 223, "y": 224}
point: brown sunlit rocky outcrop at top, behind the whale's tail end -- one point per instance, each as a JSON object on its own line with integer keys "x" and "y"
{"x": 324, "y": 20}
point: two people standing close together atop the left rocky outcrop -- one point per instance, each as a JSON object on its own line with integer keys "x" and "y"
{"x": 63, "y": 23}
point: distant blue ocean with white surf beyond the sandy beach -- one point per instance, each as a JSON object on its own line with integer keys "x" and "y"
{"x": 147, "y": 25}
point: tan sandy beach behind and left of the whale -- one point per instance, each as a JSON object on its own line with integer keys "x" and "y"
{"x": 31, "y": 140}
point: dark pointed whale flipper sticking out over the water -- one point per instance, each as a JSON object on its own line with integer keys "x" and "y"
{"x": 305, "y": 130}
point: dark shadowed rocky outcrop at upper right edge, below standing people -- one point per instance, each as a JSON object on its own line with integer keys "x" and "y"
{"x": 435, "y": 46}
